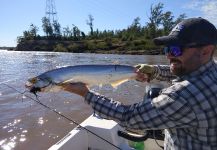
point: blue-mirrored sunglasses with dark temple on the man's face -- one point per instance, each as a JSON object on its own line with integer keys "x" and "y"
{"x": 177, "y": 51}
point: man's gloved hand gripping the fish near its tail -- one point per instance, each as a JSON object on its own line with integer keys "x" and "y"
{"x": 145, "y": 72}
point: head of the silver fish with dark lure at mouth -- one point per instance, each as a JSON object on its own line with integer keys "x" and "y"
{"x": 38, "y": 84}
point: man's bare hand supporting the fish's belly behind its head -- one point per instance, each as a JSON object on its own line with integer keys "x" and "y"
{"x": 77, "y": 88}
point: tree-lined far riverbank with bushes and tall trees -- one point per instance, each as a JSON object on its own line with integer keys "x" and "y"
{"x": 136, "y": 39}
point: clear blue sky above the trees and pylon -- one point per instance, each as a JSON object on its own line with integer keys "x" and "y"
{"x": 17, "y": 15}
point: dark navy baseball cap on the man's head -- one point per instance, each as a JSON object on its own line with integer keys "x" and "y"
{"x": 190, "y": 32}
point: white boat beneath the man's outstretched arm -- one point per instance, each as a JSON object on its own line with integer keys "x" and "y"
{"x": 96, "y": 133}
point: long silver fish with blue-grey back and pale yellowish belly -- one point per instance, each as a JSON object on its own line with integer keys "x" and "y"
{"x": 89, "y": 74}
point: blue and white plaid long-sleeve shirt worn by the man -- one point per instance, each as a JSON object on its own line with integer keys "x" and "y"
{"x": 187, "y": 110}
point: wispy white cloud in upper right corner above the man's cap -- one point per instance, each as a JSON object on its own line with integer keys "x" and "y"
{"x": 208, "y": 9}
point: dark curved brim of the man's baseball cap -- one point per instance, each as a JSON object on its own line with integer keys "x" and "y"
{"x": 166, "y": 40}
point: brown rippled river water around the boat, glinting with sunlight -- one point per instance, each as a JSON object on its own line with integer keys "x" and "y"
{"x": 24, "y": 124}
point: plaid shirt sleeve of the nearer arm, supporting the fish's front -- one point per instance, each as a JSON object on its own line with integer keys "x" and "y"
{"x": 164, "y": 111}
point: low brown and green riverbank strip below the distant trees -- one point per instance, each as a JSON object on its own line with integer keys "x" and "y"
{"x": 87, "y": 46}
